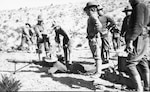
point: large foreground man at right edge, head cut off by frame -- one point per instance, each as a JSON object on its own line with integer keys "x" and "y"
{"x": 137, "y": 31}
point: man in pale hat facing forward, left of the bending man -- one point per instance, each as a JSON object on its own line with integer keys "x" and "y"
{"x": 42, "y": 36}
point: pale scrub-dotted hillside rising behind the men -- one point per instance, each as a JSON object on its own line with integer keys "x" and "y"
{"x": 71, "y": 16}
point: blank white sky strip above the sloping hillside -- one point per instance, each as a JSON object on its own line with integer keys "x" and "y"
{"x": 15, "y": 4}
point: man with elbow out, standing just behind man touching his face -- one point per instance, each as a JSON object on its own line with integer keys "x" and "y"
{"x": 107, "y": 23}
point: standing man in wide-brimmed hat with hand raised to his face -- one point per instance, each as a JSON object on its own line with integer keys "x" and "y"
{"x": 93, "y": 34}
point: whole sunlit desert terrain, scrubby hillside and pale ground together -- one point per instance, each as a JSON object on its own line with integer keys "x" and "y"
{"x": 72, "y": 17}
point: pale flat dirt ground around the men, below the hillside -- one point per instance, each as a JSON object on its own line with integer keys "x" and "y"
{"x": 35, "y": 78}
